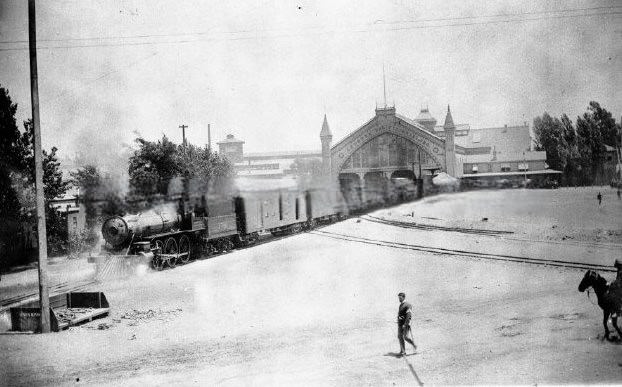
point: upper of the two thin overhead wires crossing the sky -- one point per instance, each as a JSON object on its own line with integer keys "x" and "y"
{"x": 311, "y": 28}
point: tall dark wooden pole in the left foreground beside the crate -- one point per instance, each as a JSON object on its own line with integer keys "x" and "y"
{"x": 44, "y": 296}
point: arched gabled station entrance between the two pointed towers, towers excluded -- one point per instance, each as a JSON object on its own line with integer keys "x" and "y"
{"x": 380, "y": 161}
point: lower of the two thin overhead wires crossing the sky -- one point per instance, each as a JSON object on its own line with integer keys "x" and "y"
{"x": 317, "y": 33}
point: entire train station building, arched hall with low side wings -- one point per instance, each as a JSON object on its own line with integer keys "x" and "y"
{"x": 391, "y": 146}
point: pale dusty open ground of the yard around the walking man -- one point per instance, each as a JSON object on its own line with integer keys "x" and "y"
{"x": 314, "y": 310}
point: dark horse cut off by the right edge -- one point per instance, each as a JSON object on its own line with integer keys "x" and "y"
{"x": 609, "y": 298}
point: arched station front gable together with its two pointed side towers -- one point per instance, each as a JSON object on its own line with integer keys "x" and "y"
{"x": 388, "y": 146}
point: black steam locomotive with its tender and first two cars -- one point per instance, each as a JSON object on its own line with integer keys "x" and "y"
{"x": 208, "y": 224}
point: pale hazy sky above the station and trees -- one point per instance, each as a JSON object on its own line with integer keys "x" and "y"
{"x": 268, "y": 70}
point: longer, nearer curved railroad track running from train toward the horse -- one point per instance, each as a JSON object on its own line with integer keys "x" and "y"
{"x": 466, "y": 253}
